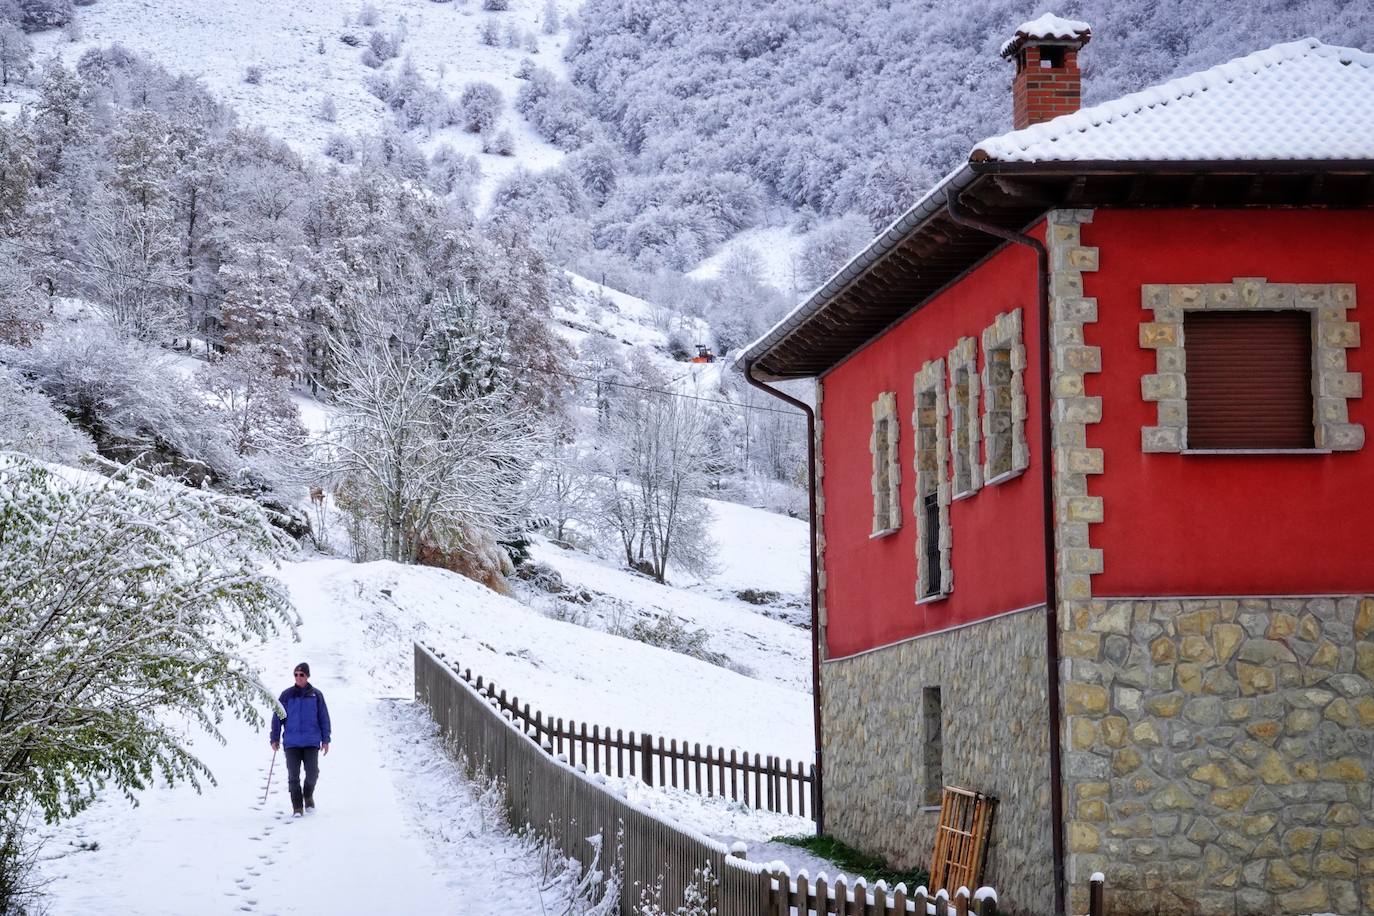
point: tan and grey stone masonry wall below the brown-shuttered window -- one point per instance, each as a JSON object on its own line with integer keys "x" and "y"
{"x": 1221, "y": 752}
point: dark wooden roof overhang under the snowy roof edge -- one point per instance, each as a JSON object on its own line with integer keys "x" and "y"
{"x": 925, "y": 251}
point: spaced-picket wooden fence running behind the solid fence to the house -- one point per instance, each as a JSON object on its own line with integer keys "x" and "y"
{"x": 767, "y": 783}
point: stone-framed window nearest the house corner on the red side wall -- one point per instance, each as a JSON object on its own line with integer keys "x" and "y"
{"x": 1006, "y": 451}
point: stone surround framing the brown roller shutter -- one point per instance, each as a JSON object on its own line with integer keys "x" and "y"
{"x": 1332, "y": 336}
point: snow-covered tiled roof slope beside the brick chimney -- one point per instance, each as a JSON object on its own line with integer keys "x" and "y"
{"x": 1296, "y": 101}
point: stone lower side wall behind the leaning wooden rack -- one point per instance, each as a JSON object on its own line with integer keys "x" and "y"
{"x": 994, "y": 738}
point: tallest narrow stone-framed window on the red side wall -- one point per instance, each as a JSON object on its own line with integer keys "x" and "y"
{"x": 932, "y": 503}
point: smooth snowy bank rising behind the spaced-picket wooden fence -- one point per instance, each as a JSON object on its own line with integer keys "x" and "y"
{"x": 564, "y": 669}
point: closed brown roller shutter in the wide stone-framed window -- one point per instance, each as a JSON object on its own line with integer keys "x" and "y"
{"x": 1250, "y": 380}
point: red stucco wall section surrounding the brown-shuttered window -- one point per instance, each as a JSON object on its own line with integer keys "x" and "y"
{"x": 1236, "y": 525}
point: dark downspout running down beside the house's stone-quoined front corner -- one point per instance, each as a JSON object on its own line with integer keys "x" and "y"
{"x": 1052, "y": 598}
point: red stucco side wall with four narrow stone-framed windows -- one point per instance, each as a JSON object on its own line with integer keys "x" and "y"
{"x": 997, "y": 534}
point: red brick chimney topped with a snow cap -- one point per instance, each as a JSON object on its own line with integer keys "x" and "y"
{"x": 1048, "y": 83}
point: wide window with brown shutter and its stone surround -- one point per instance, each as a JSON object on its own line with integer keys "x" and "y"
{"x": 1251, "y": 366}
